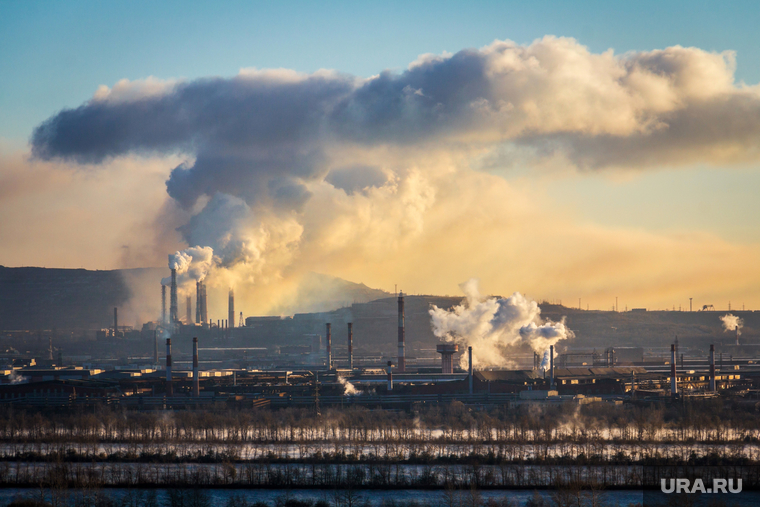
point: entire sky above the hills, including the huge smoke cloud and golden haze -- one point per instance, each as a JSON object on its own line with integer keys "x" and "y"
{"x": 561, "y": 149}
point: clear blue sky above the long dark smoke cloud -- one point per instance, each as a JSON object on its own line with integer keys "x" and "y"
{"x": 54, "y": 54}
